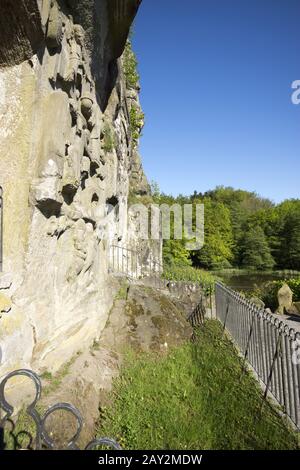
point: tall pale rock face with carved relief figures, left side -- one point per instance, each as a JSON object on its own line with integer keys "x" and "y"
{"x": 67, "y": 157}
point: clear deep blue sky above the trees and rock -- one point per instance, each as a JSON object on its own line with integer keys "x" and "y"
{"x": 216, "y": 90}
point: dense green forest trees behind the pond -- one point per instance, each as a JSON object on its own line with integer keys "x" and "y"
{"x": 242, "y": 230}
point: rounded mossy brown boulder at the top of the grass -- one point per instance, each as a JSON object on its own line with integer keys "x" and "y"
{"x": 147, "y": 320}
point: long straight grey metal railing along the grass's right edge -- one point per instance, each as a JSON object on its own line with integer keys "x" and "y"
{"x": 270, "y": 346}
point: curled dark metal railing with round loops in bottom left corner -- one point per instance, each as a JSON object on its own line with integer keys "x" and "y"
{"x": 43, "y": 438}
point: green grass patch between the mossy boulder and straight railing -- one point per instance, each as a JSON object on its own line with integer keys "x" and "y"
{"x": 196, "y": 397}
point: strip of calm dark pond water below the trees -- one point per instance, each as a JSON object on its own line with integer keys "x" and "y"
{"x": 246, "y": 281}
